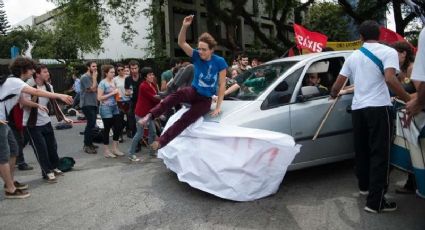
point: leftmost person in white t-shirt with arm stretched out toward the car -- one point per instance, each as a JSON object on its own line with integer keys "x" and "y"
{"x": 10, "y": 91}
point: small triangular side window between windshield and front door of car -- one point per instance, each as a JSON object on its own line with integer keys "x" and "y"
{"x": 282, "y": 94}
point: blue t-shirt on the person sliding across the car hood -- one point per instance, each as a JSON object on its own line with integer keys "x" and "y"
{"x": 206, "y": 75}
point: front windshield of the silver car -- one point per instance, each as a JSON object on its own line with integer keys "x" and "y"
{"x": 254, "y": 81}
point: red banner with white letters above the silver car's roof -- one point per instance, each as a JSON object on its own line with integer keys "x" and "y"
{"x": 313, "y": 41}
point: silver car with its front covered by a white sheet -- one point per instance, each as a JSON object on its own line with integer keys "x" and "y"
{"x": 276, "y": 96}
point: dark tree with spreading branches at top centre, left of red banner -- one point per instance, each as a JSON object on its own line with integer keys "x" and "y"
{"x": 282, "y": 13}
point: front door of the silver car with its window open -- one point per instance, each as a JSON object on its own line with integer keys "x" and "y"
{"x": 335, "y": 139}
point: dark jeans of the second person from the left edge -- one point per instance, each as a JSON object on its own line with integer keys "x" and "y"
{"x": 43, "y": 141}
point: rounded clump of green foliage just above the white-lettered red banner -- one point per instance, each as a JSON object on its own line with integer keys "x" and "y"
{"x": 329, "y": 19}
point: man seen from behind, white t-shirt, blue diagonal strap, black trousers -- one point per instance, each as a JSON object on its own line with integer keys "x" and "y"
{"x": 373, "y": 77}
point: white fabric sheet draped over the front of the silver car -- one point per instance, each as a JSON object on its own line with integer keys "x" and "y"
{"x": 235, "y": 163}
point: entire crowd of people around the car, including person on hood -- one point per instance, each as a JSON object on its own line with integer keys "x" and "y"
{"x": 129, "y": 97}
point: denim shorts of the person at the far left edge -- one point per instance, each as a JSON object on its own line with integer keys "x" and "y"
{"x": 8, "y": 144}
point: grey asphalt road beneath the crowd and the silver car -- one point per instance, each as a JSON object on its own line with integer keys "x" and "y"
{"x": 105, "y": 193}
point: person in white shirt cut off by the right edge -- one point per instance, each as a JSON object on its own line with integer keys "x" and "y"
{"x": 418, "y": 76}
